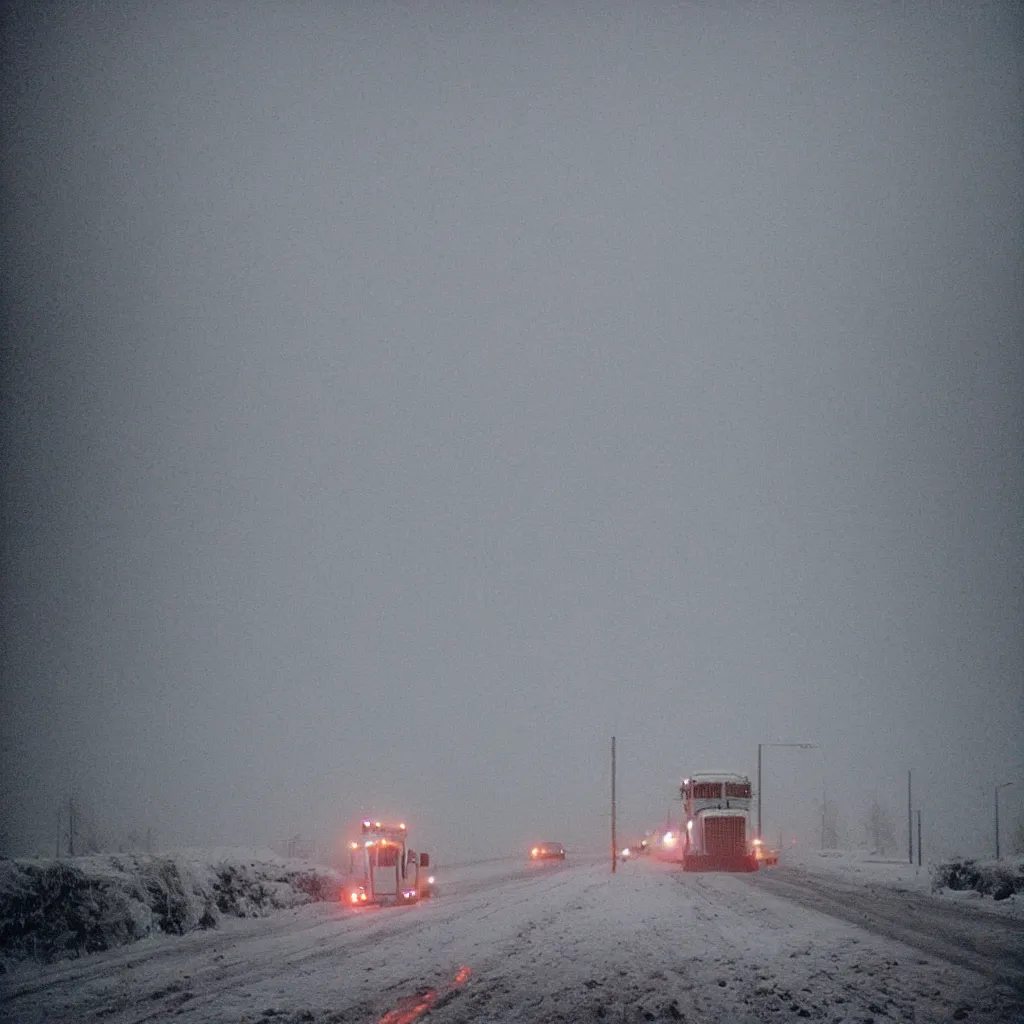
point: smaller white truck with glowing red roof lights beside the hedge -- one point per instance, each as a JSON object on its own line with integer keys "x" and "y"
{"x": 383, "y": 872}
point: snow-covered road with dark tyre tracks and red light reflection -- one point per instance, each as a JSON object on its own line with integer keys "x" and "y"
{"x": 571, "y": 943}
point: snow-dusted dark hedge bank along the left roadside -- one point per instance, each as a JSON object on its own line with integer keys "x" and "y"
{"x": 55, "y": 909}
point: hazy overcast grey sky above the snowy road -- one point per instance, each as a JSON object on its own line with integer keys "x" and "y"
{"x": 402, "y": 400}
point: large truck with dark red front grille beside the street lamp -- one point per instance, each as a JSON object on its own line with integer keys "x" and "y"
{"x": 717, "y": 835}
